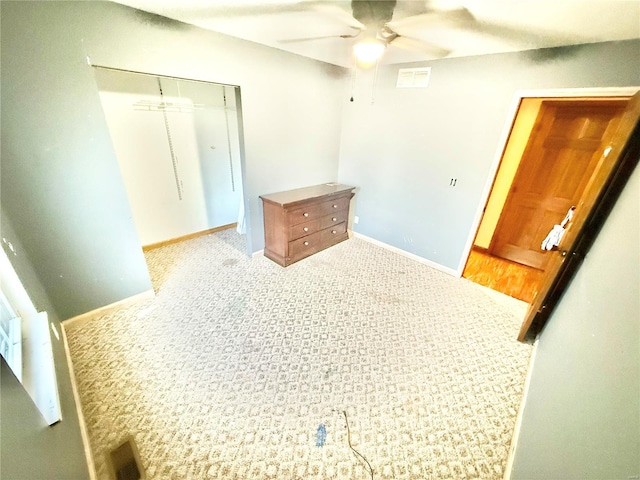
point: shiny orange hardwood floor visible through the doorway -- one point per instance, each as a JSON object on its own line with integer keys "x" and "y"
{"x": 511, "y": 278}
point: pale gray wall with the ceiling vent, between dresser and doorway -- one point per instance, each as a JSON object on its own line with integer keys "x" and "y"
{"x": 402, "y": 150}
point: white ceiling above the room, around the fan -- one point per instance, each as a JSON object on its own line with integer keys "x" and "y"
{"x": 494, "y": 25}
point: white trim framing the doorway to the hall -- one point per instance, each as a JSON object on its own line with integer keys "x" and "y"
{"x": 512, "y": 113}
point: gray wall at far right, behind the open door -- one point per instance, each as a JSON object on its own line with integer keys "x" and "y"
{"x": 582, "y": 415}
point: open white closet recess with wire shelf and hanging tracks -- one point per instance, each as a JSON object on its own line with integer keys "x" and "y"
{"x": 178, "y": 143}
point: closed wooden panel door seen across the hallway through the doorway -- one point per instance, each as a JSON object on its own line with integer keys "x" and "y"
{"x": 556, "y": 166}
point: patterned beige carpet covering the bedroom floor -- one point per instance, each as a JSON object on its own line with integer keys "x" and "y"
{"x": 237, "y": 366}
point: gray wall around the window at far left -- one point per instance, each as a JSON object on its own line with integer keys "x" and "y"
{"x": 29, "y": 448}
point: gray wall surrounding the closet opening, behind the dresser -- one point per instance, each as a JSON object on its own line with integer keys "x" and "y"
{"x": 61, "y": 185}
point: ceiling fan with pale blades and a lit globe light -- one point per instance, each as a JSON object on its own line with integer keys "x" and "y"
{"x": 375, "y": 27}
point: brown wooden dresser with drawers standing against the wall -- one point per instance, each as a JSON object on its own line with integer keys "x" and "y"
{"x": 301, "y": 222}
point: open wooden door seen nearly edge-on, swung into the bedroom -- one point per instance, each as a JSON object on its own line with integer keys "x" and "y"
{"x": 617, "y": 158}
